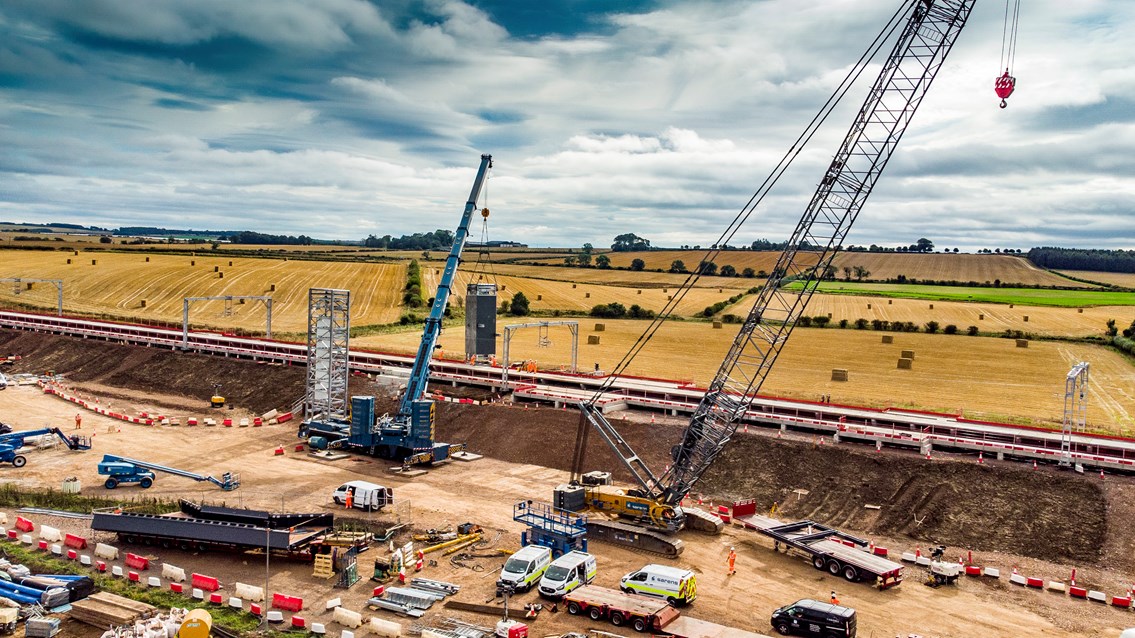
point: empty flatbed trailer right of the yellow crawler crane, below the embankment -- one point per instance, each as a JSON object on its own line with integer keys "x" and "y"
{"x": 828, "y": 549}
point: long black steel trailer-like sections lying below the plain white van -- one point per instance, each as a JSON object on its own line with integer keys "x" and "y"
{"x": 190, "y": 534}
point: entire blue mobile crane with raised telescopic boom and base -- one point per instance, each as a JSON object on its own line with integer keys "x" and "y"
{"x": 407, "y": 436}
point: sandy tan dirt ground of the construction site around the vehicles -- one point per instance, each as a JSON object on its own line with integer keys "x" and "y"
{"x": 484, "y": 492}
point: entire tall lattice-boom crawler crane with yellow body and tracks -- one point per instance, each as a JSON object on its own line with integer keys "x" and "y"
{"x": 927, "y": 37}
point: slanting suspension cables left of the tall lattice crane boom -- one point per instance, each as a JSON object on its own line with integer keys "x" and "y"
{"x": 759, "y": 197}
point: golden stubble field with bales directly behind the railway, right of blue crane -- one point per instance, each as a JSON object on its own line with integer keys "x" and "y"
{"x": 981, "y": 377}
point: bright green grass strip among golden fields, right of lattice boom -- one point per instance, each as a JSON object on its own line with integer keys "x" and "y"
{"x": 1023, "y": 297}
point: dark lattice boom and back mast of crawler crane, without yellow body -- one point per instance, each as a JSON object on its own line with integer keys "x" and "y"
{"x": 927, "y": 39}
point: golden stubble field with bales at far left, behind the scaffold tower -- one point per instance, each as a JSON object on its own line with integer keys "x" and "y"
{"x": 120, "y": 283}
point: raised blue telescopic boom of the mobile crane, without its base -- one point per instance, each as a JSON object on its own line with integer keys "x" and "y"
{"x": 419, "y": 375}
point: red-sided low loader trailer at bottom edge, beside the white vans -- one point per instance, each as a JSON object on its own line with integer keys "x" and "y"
{"x": 653, "y": 617}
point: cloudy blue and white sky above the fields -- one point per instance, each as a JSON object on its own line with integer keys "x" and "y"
{"x": 343, "y": 119}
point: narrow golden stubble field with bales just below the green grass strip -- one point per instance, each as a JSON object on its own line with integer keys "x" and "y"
{"x": 988, "y": 317}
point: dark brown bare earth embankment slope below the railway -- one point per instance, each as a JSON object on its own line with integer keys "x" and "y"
{"x": 1006, "y": 508}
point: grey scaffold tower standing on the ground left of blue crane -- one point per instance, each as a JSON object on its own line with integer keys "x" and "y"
{"x": 329, "y": 338}
